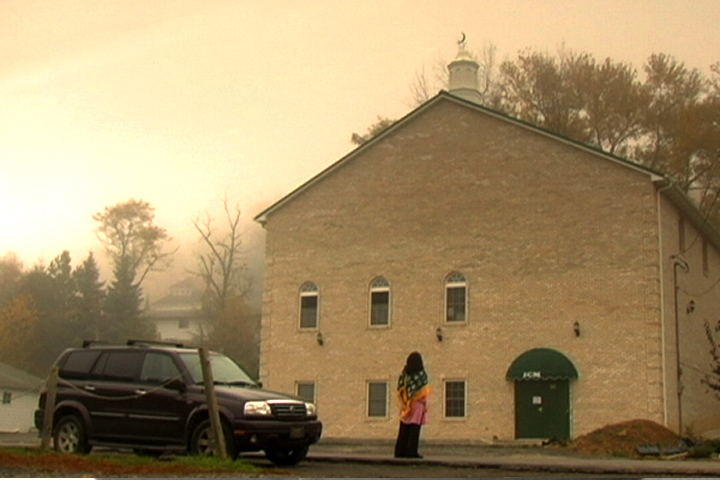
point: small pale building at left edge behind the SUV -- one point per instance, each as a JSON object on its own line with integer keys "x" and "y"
{"x": 20, "y": 392}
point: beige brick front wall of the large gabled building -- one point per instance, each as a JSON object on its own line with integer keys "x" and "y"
{"x": 546, "y": 235}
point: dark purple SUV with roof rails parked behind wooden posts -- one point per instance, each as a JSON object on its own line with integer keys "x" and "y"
{"x": 150, "y": 397}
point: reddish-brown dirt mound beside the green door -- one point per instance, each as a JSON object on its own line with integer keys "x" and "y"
{"x": 622, "y": 439}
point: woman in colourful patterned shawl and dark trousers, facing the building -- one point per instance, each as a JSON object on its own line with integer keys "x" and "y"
{"x": 412, "y": 393}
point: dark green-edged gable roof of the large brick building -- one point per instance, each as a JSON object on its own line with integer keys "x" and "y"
{"x": 660, "y": 179}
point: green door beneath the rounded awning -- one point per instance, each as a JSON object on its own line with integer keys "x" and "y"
{"x": 542, "y": 409}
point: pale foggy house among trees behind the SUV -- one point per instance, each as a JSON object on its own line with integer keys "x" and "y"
{"x": 178, "y": 315}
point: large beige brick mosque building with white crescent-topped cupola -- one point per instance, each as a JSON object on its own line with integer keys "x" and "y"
{"x": 551, "y": 288}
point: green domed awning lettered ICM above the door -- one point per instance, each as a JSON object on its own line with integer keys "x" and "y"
{"x": 541, "y": 364}
